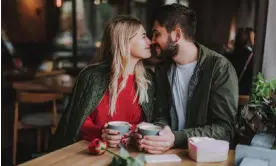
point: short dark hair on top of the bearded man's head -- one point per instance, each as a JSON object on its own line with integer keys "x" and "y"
{"x": 172, "y": 15}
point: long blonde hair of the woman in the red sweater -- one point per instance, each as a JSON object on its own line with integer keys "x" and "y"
{"x": 115, "y": 48}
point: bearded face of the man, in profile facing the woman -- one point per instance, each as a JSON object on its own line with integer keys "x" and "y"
{"x": 162, "y": 44}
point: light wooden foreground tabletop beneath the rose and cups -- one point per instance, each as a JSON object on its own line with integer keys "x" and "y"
{"x": 77, "y": 154}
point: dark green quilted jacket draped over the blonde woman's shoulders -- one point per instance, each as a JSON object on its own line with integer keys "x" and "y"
{"x": 88, "y": 91}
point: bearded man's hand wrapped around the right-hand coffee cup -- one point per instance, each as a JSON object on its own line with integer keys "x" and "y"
{"x": 158, "y": 144}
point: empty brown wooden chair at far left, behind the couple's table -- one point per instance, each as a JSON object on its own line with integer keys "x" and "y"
{"x": 37, "y": 120}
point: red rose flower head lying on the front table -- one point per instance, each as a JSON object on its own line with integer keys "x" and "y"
{"x": 97, "y": 146}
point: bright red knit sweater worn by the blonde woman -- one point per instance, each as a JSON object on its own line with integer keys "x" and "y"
{"x": 126, "y": 110}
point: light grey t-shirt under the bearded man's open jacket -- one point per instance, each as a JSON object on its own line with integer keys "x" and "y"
{"x": 182, "y": 76}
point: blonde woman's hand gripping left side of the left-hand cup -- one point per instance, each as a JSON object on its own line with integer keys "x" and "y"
{"x": 112, "y": 137}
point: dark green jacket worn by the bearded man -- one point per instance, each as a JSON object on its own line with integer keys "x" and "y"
{"x": 212, "y": 98}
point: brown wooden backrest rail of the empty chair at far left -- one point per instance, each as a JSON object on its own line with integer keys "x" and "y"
{"x": 35, "y": 97}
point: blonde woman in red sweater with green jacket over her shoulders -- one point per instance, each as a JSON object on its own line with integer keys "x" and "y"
{"x": 115, "y": 88}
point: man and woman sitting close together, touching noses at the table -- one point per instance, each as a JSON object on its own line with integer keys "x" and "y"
{"x": 193, "y": 92}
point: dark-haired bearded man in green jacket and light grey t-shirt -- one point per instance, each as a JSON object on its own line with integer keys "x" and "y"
{"x": 197, "y": 89}
